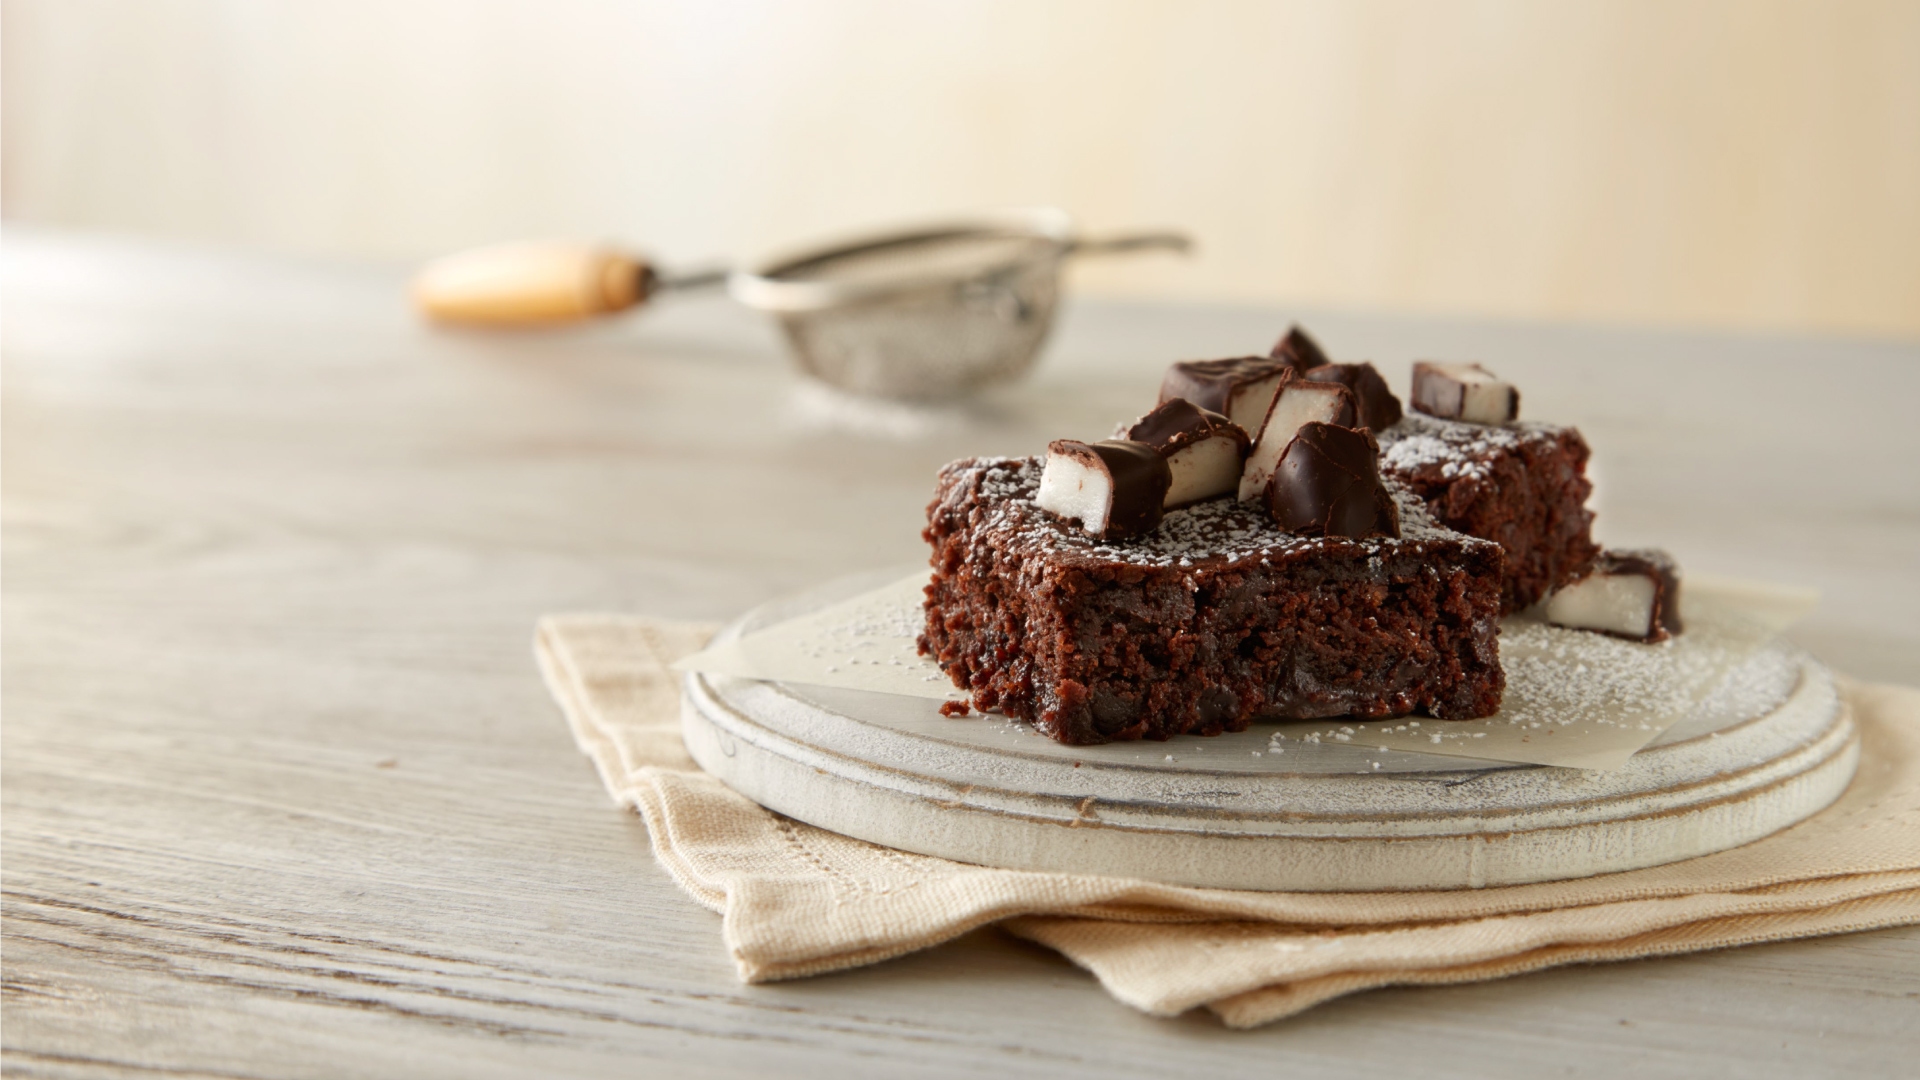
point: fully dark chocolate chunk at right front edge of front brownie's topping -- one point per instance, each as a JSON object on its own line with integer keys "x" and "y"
{"x": 1330, "y": 485}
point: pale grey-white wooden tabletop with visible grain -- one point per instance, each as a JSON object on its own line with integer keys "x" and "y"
{"x": 283, "y": 795}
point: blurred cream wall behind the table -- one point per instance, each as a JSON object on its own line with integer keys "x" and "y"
{"x": 1731, "y": 164}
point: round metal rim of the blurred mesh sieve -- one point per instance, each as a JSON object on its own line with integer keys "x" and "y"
{"x": 763, "y": 289}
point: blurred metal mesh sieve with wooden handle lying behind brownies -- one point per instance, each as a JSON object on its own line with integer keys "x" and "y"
{"x": 919, "y": 314}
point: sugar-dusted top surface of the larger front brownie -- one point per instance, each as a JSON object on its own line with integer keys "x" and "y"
{"x": 1218, "y": 533}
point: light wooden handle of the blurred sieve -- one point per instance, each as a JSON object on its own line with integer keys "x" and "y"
{"x": 531, "y": 285}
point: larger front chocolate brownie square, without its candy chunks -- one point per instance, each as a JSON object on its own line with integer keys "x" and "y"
{"x": 1207, "y": 624}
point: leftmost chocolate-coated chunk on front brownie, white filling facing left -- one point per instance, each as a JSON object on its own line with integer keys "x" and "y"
{"x": 1115, "y": 487}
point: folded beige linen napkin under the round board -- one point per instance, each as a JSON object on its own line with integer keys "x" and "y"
{"x": 800, "y": 900}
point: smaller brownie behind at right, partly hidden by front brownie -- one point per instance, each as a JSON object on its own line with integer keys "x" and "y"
{"x": 1520, "y": 485}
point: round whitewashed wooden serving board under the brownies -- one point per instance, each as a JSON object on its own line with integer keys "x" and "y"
{"x": 1212, "y": 812}
